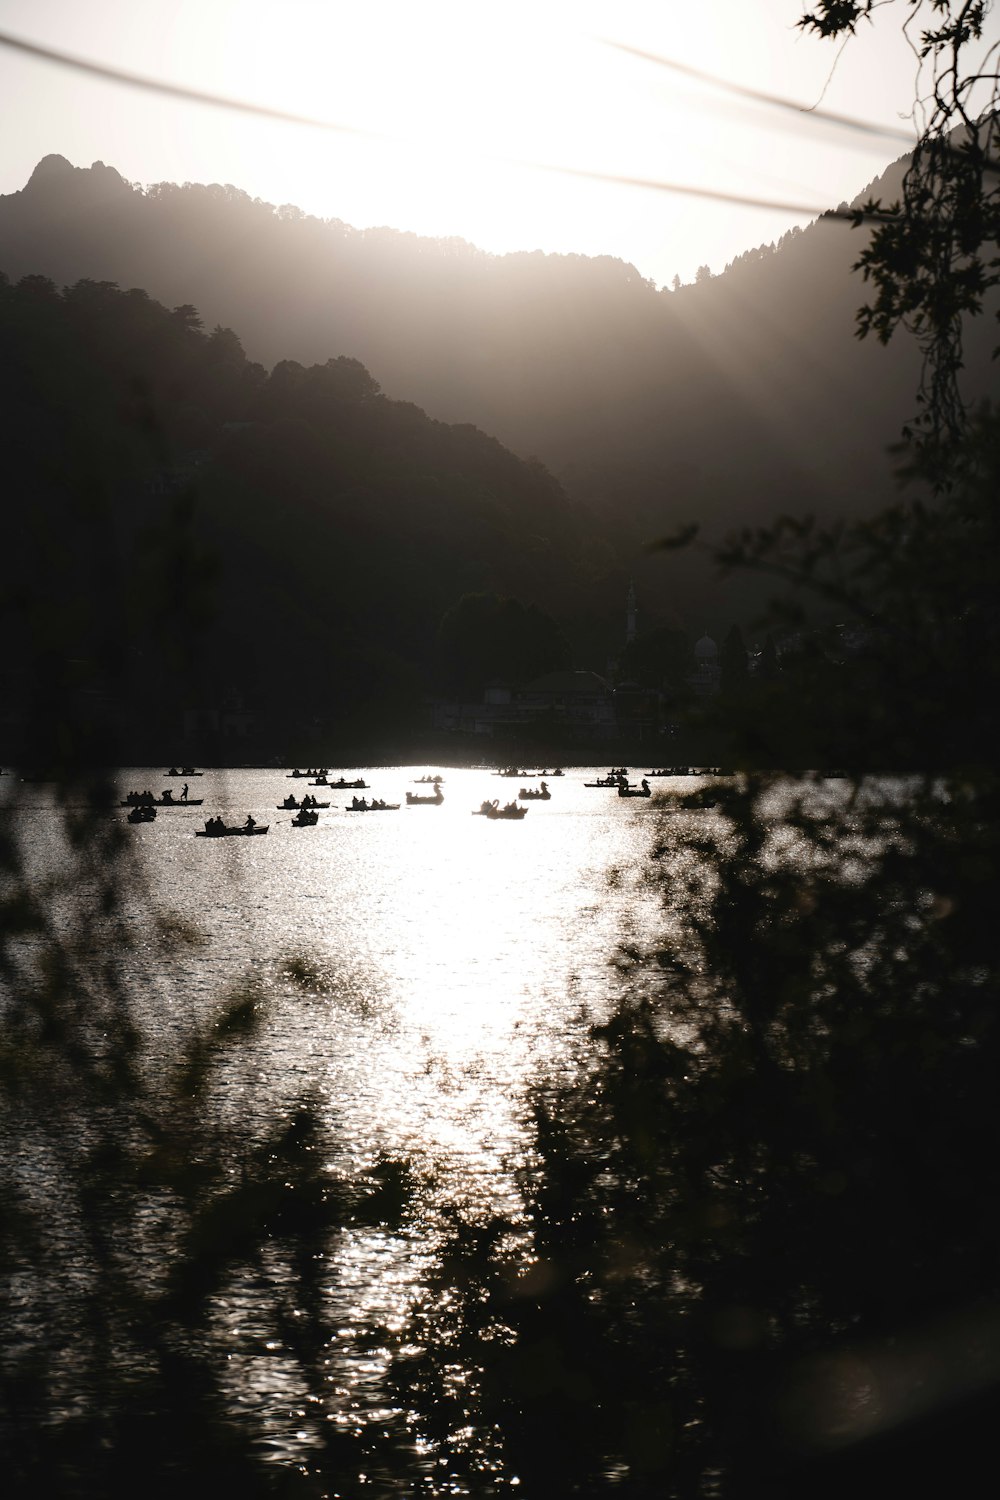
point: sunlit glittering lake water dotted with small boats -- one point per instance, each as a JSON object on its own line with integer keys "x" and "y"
{"x": 452, "y": 962}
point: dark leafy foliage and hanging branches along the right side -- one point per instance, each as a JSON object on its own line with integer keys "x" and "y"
{"x": 759, "y": 1238}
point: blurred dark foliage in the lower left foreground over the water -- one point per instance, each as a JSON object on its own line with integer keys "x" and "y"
{"x": 163, "y": 1244}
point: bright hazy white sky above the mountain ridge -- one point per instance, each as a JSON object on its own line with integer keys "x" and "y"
{"x": 466, "y": 91}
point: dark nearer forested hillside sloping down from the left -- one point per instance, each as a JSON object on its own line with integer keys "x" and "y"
{"x": 187, "y": 530}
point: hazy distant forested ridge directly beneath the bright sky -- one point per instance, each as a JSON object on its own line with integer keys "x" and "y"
{"x": 723, "y": 403}
